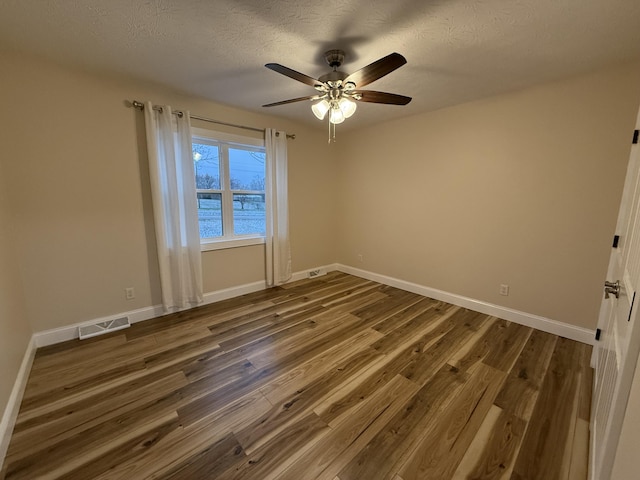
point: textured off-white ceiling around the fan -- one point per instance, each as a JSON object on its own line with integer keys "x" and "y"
{"x": 457, "y": 50}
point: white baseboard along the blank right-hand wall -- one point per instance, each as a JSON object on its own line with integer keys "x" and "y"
{"x": 555, "y": 327}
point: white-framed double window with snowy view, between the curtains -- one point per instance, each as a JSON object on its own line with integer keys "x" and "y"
{"x": 230, "y": 180}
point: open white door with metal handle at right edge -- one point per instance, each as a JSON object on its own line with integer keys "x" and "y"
{"x": 616, "y": 351}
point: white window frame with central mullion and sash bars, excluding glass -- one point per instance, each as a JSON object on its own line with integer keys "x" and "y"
{"x": 224, "y": 141}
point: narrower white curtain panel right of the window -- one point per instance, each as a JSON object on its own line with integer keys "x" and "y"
{"x": 277, "y": 231}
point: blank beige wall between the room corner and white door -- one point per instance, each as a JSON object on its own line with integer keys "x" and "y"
{"x": 520, "y": 189}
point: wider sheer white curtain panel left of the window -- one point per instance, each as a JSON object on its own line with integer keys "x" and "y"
{"x": 175, "y": 210}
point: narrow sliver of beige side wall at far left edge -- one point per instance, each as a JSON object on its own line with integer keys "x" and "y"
{"x": 14, "y": 327}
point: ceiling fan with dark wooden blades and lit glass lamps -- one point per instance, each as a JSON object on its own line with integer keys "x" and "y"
{"x": 338, "y": 90}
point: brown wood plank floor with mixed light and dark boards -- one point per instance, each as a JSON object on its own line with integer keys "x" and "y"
{"x": 336, "y": 378}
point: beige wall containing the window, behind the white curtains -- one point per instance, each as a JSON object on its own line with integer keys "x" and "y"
{"x": 75, "y": 162}
